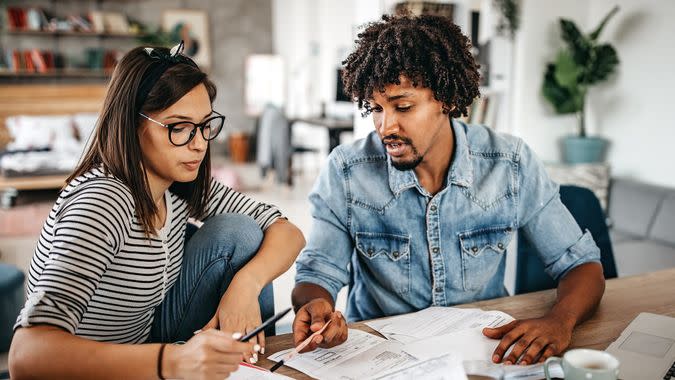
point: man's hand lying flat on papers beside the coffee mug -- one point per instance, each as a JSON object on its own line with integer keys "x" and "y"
{"x": 532, "y": 340}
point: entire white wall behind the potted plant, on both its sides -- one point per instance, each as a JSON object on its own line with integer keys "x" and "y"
{"x": 631, "y": 110}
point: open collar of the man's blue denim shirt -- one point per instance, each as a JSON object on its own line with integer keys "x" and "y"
{"x": 460, "y": 172}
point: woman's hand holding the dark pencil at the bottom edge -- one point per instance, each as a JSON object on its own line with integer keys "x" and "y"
{"x": 208, "y": 355}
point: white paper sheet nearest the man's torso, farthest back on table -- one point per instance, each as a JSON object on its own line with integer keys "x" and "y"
{"x": 436, "y": 321}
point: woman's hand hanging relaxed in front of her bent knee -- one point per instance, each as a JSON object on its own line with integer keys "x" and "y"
{"x": 239, "y": 312}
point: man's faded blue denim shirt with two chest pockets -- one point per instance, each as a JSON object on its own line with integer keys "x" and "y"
{"x": 401, "y": 249}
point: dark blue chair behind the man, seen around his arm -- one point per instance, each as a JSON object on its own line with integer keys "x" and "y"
{"x": 586, "y": 210}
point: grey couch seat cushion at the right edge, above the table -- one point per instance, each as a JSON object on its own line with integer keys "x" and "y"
{"x": 641, "y": 256}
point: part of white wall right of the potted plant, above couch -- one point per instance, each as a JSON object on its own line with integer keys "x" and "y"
{"x": 634, "y": 110}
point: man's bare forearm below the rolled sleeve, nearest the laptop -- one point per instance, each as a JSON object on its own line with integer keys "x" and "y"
{"x": 579, "y": 294}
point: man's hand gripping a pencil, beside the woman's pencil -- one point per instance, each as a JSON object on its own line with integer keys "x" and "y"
{"x": 311, "y": 317}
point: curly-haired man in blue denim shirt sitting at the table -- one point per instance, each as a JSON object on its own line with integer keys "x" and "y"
{"x": 421, "y": 211}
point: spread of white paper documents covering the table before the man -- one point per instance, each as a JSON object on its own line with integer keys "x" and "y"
{"x": 436, "y": 343}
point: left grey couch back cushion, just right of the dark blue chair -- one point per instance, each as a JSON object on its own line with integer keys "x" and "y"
{"x": 632, "y": 206}
